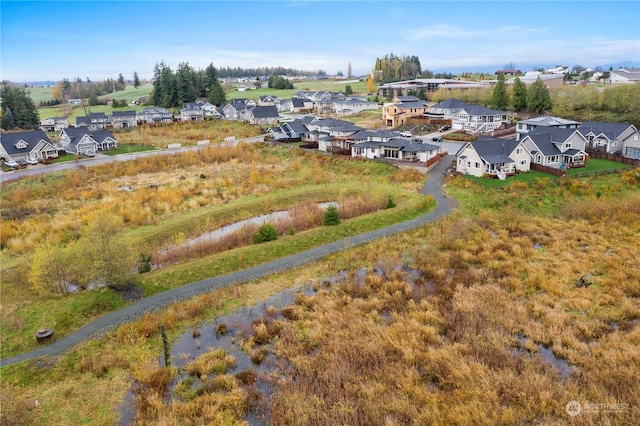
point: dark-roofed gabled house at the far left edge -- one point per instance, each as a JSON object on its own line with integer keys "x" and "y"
{"x": 25, "y": 145}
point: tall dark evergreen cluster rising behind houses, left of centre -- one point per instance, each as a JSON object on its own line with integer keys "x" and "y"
{"x": 172, "y": 89}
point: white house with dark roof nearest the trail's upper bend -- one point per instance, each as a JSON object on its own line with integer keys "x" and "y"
{"x": 493, "y": 157}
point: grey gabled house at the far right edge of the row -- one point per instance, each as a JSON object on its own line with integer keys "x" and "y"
{"x": 612, "y": 137}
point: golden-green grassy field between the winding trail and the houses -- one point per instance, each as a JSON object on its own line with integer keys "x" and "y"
{"x": 241, "y": 182}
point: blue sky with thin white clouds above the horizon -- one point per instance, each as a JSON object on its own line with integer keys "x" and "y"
{"x": 47, "y": 40}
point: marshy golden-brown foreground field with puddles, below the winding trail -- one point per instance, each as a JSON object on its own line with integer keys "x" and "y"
{"x": 524, "y": 299}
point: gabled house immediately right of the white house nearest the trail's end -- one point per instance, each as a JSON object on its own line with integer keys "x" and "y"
{"x": 557, "y": 148}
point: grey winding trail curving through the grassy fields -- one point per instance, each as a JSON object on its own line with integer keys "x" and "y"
{"x": 157, "y": 301}
